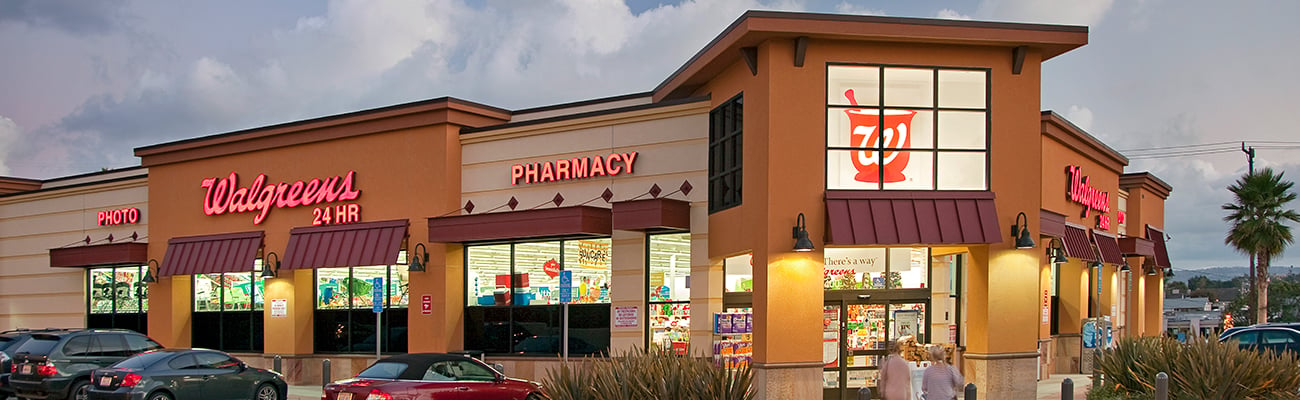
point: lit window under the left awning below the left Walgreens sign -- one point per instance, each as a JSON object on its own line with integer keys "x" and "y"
{"x": 228, "y": 311}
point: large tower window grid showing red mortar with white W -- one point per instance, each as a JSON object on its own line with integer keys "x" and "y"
{"x": 928, "y": 127}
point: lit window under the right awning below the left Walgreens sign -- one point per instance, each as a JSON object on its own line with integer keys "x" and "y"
{"x": 345, "y": 308}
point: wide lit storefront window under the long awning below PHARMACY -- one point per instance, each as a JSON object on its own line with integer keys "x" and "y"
{"x": 513, "y": 303}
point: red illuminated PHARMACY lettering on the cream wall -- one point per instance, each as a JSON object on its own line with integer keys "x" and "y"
{"x": 566, "y": 169}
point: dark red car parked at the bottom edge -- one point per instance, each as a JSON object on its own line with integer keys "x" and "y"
{"x": 432, "y": 376}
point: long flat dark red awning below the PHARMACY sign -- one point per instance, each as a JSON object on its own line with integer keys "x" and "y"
{"x": 580, "y": 220}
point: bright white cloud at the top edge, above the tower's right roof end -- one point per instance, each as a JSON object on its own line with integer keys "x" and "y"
{"x": 1071, "y": 12}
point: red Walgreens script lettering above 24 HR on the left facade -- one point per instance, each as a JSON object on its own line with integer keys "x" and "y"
{"x": 226, "y": 195}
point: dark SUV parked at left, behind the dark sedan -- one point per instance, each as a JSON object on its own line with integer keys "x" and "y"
{"x": 58, "y": 366}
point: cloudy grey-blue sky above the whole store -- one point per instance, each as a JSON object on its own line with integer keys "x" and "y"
{"x": 85, "y": 82}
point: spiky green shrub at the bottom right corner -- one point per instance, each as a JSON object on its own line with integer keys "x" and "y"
{"x": 1202, "y": 371}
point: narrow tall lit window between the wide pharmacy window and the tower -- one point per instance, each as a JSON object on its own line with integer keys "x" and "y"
{"x": 670, "y": 290}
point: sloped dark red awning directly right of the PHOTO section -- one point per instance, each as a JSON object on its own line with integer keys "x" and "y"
{"x": 211, "y": 254}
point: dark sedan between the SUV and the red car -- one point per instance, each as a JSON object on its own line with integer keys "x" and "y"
{"x": 180, "y": 375}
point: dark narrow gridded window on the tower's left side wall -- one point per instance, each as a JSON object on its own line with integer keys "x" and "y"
{"x": 726, "y": 162}
